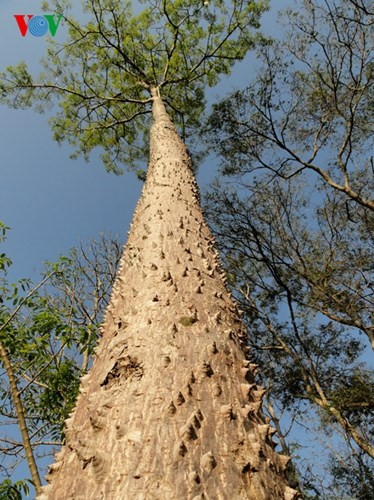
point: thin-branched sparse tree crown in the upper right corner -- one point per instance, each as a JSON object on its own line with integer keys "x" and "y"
{"x": 308, "y": 109}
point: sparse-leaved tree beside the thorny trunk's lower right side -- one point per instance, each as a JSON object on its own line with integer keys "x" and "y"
{"x": 311, "y": 364}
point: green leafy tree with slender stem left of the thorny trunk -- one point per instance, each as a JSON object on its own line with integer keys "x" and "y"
{"x": 48, "y": 333}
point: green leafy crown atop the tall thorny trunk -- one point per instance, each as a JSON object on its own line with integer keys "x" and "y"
{"x": 103, "y": 74}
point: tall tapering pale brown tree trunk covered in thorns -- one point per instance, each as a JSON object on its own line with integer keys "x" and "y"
{"x": 169, "y": 409}
